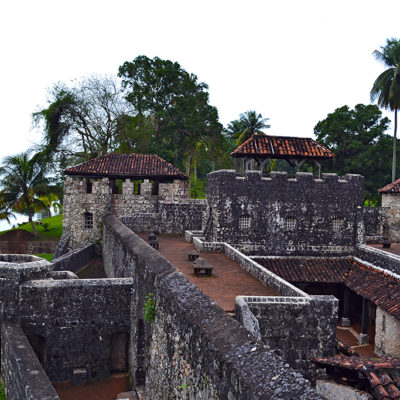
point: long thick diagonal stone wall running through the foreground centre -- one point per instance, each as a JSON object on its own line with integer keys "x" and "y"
{"x": 193, "y": 349}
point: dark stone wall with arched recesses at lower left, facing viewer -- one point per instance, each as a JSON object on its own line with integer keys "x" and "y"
{"x": 77, "y": 320}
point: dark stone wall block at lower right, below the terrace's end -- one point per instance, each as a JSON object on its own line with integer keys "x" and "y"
{"x": 297, "y": 328}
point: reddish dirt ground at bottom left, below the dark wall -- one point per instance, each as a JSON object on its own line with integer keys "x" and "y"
{"x": 103, "y": 389}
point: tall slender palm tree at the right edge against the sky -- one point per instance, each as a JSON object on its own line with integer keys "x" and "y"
{"x": 386, "y": 88}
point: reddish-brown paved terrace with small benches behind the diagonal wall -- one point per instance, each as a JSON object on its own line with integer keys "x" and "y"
{"x": 228, "y": 280}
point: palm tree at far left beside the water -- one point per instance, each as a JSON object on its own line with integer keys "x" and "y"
{"x": 23, "y": 180}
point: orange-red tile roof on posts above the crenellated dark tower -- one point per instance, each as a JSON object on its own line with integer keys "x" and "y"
{"x": 282, "y": 147}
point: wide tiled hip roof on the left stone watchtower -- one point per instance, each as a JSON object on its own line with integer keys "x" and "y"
{"x": 127, "y": 166}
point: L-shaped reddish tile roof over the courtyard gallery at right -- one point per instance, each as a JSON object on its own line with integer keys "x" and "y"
{"x": 377, "y": 285}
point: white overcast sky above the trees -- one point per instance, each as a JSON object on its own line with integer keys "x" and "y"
{"x": 293, "y": 61}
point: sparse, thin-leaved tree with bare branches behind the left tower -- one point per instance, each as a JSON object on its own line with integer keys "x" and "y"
{"x": 83, "y": 119}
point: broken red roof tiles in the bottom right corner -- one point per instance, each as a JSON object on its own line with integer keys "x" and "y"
{"x": 382, "y": 374}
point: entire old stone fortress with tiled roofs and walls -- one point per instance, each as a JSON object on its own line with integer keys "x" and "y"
{"x": 304, "y": 235}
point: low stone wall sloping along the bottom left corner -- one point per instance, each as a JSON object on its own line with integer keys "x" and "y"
{"x": 23, "y": 376}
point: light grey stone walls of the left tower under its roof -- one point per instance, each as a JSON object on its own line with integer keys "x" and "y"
{"x": 168, "y": 211}
